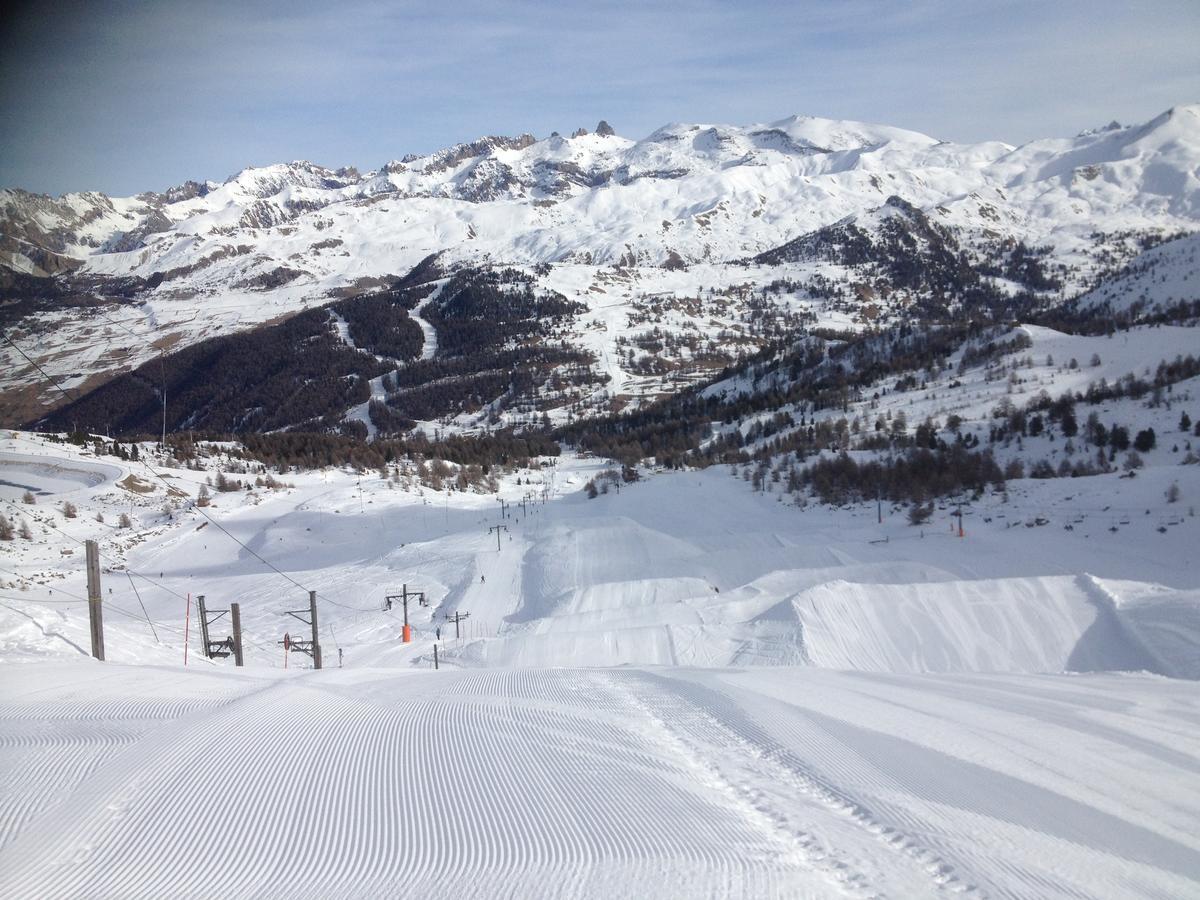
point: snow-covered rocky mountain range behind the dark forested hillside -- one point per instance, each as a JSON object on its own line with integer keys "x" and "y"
{"x": 830, "y": 215}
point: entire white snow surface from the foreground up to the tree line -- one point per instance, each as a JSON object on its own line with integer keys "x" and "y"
{"x": 683, "y": 689}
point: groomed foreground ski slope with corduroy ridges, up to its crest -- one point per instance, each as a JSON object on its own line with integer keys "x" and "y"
{"x": 125, "y": 782}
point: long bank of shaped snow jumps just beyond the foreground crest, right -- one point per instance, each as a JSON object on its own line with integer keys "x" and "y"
{"x": 1039, "y": 625}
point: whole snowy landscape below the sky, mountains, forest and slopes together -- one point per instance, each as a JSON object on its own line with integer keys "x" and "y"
{"x": 839, "y": 545}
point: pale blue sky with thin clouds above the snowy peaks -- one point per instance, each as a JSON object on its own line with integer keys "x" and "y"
{"x": 131, "y": 97}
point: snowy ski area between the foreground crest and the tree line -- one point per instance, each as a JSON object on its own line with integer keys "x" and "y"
{"x": 687, "y": 569}
